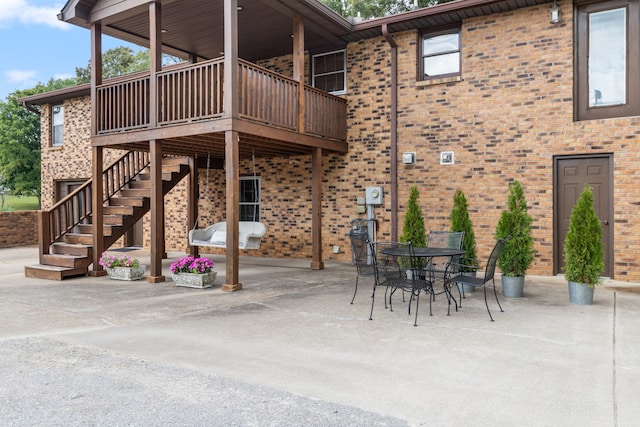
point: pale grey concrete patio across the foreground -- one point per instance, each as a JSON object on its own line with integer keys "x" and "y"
{"x": 290, "y": 350}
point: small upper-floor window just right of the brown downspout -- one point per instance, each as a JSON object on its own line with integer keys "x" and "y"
{"x": 440, "y": 53}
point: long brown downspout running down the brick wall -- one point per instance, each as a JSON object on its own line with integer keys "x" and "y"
{"x": 394, "y": 132}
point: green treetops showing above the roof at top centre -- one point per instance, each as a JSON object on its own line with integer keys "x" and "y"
{"x": 367, "y": 9}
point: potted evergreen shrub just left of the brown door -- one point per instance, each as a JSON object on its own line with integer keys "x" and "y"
{"x": 517, "y": 254}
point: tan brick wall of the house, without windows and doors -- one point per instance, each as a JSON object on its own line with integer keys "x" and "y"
{"x": 506, "y": 117}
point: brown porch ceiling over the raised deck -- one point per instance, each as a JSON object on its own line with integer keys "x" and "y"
{"x": 196, "y": 27}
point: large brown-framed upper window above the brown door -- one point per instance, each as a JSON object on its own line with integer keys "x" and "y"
{"x": 607, "y": 79}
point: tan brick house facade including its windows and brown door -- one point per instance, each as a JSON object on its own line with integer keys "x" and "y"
{"x": 477, "y": 93}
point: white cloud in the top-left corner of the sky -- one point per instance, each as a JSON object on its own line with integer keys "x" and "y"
{"x": 28, "y": 13}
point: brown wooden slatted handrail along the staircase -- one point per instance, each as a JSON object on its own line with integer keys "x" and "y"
{"x": 76, "y": 207}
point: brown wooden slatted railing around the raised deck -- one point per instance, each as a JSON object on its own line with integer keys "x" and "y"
{"x": 195, "y": 92}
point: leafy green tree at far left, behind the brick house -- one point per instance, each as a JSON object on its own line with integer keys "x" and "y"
{"x": 20, "y": 140}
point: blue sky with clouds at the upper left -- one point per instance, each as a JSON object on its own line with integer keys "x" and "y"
{"x": 35, "y": 46}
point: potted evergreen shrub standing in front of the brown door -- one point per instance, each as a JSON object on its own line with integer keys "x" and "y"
{"x": 583, "y": 250}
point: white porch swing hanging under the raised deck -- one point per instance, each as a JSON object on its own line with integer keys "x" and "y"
{"x": 215, "y": 235}
